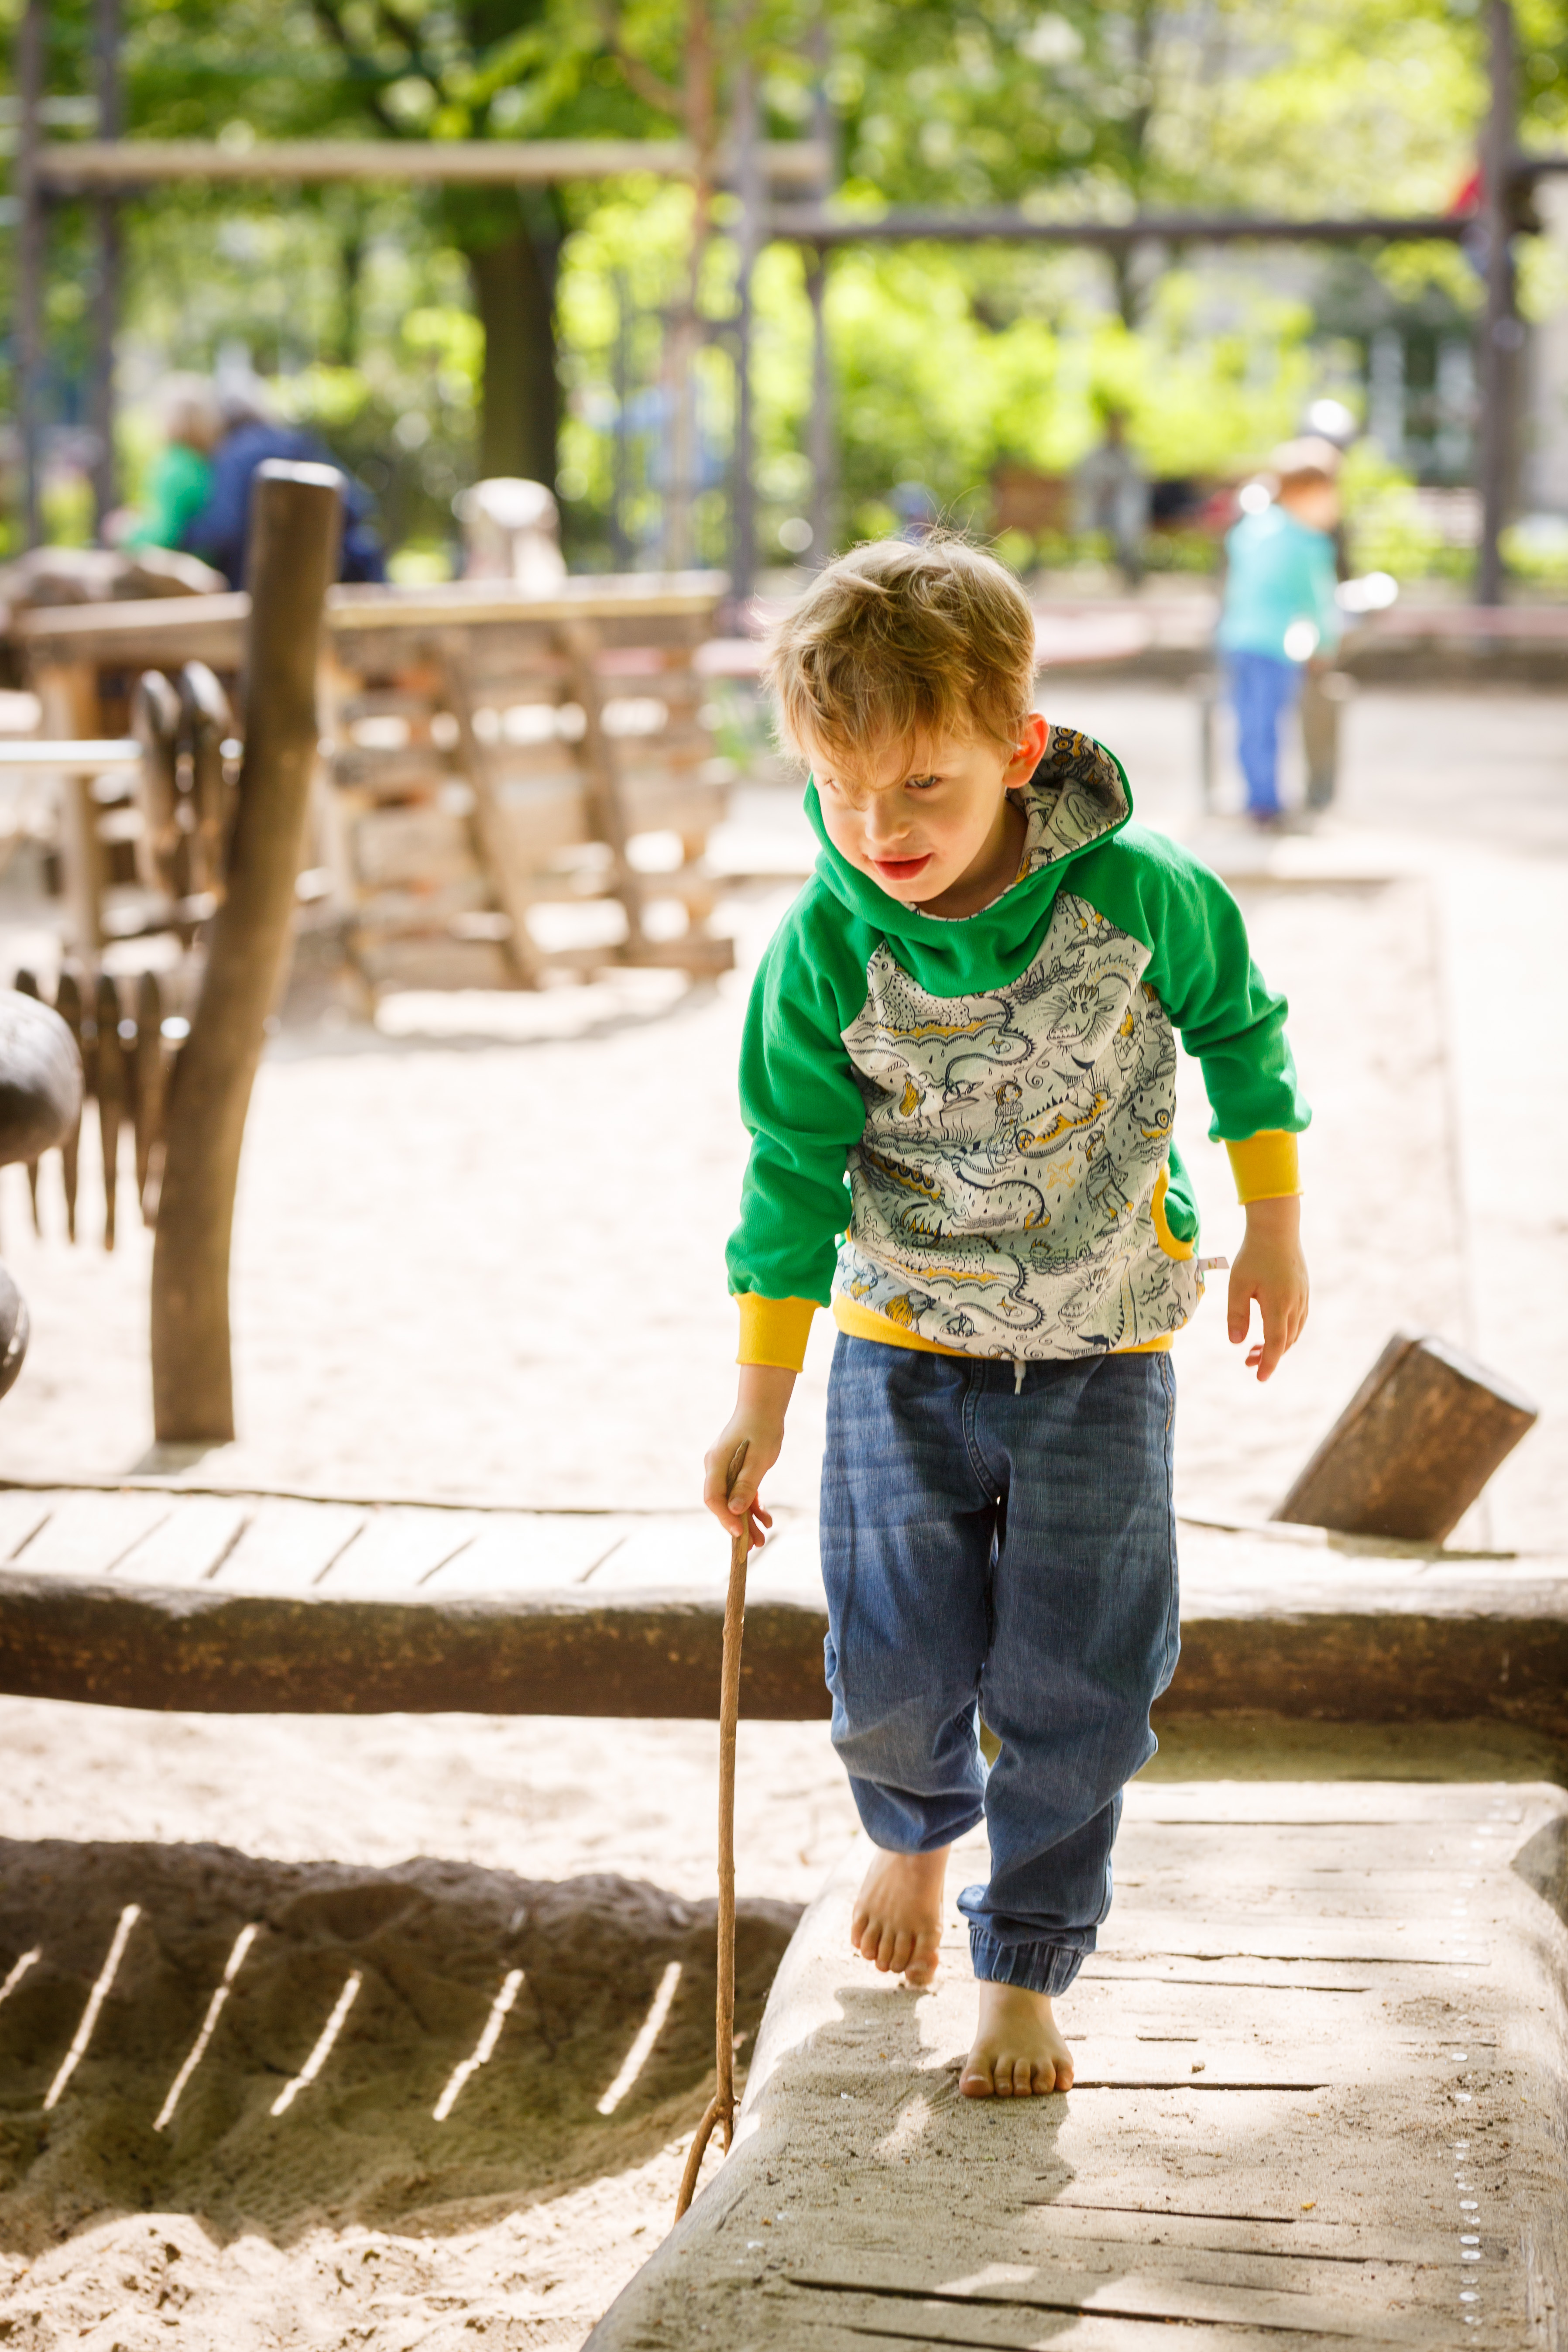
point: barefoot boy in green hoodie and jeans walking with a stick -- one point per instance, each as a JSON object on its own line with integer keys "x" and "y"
{"x": 960, "y": 1067}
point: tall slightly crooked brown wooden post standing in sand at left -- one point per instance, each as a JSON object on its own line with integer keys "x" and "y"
{"x": 293, "y": 559}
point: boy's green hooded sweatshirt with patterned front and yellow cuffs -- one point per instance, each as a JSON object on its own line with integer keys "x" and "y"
{"x": 963, "y": 1130}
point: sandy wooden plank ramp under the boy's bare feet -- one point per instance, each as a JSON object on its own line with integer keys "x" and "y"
{"x": 1322, "y": 2090}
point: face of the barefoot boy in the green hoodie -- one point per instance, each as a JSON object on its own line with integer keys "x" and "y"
{"x": 930, "y": 815}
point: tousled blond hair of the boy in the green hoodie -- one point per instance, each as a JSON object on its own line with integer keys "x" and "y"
{"x": 902, "y": 641}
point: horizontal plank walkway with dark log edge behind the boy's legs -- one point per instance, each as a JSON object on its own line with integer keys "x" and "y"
{"x": 257, "y": 1603}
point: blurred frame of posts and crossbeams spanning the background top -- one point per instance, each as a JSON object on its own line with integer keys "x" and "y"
{"x": 107, "y": 171}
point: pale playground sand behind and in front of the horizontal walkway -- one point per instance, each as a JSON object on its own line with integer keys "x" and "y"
{"x": 478, "y": 1255}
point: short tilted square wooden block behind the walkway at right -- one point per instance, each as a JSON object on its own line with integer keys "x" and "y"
{"x": 1414, "y": 1448}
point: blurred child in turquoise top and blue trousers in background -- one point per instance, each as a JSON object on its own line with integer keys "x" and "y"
{"x": 1280, "y": 606}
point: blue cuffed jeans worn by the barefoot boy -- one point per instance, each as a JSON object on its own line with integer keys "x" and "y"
{"x": 1010, "y": 1553}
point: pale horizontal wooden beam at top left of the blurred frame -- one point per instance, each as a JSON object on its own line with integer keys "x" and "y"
{"x": 81, "y": 166}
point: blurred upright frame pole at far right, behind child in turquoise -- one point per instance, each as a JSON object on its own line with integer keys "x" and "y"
{"x": 1501, "y": 326}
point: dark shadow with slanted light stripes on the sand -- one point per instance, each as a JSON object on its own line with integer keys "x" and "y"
{"x": 516, "y": 2007}
